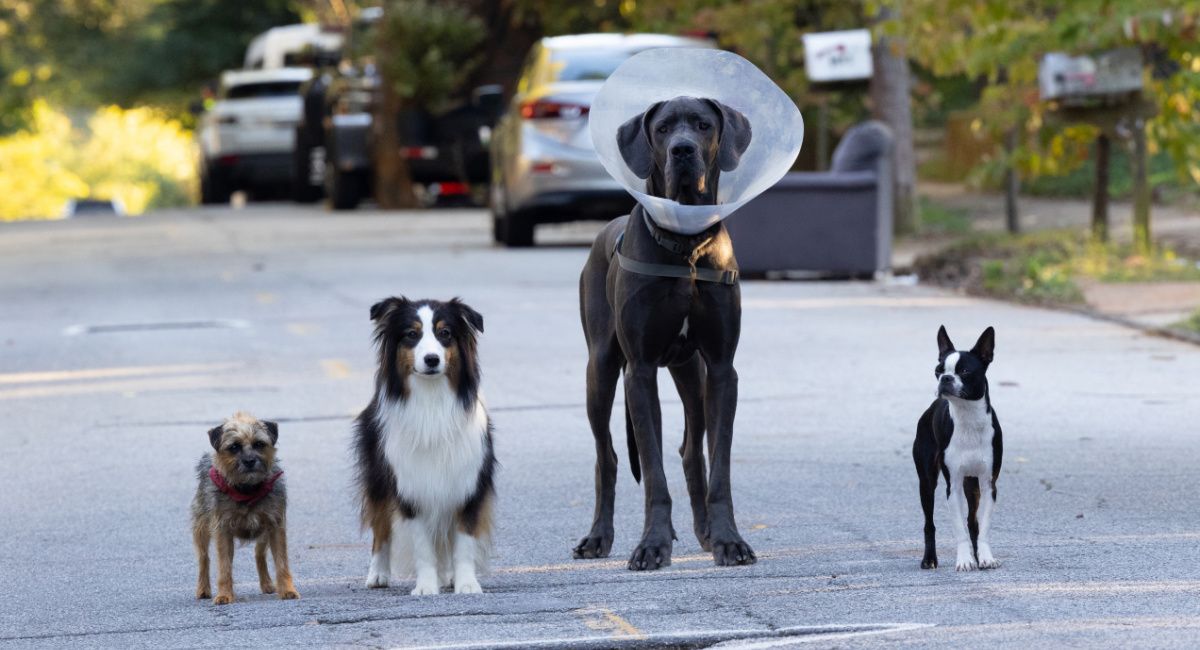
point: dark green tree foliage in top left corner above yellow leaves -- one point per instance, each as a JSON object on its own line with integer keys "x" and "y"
{"x": 125, "y": 52}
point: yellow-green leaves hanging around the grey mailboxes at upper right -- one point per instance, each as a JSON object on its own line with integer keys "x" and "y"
{"x": 1003, "y": 41}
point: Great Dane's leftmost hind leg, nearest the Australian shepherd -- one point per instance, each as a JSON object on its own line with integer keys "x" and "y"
{"x": 604, "y": 372}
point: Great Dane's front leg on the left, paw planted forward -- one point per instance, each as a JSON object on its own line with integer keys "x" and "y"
{"x": 643, "y": 398}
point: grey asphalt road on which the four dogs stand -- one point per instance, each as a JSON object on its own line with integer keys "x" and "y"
{"x": 124, "y": 340}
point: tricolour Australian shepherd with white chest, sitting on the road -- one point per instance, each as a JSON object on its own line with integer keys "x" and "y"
{"x": 424, "y": 449}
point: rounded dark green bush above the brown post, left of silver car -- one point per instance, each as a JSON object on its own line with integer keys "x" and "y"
{"x": 428, "y": 50}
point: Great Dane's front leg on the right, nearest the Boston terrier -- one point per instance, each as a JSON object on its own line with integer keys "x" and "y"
{"x": 718, "y": 328}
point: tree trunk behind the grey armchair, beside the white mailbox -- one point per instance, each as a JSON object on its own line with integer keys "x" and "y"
{"x": 892, "y": 105}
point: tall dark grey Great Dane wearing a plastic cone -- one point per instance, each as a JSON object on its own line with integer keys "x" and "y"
{"x": 651, "y": 298}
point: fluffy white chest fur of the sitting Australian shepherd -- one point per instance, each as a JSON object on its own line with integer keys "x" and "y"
{"x": 435, "y": 447}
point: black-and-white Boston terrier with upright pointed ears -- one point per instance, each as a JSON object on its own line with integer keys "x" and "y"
{"x": 959, "y": 436}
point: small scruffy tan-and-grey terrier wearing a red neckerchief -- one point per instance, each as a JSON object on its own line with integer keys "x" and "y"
{"x": 241, "y": 496}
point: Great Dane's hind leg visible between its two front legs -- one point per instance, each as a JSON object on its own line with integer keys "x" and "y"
{"x": 689, "y": 380}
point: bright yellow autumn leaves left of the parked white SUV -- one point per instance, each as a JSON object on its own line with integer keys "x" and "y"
{"x": 136, "y": 157}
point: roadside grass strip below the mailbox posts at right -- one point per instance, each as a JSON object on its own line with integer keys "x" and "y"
{"x": 1047, "y": 268}
